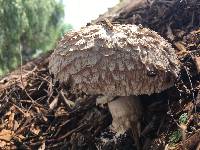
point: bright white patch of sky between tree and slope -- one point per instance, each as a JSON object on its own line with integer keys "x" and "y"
{"x": 80, "y": 12}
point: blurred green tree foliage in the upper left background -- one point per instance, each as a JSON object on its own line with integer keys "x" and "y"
{"x": 32, "y": 25}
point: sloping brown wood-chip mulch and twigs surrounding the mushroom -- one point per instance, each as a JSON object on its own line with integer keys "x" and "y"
{"x": 39, "y": 113}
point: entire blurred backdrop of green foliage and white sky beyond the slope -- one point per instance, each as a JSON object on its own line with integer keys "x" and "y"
{"x": 29, "y": 28}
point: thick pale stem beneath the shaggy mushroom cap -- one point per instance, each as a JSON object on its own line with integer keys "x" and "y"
{"x": 126, "y": 113}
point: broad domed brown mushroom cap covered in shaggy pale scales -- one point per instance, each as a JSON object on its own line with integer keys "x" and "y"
{"x": 125, "y": 60}
